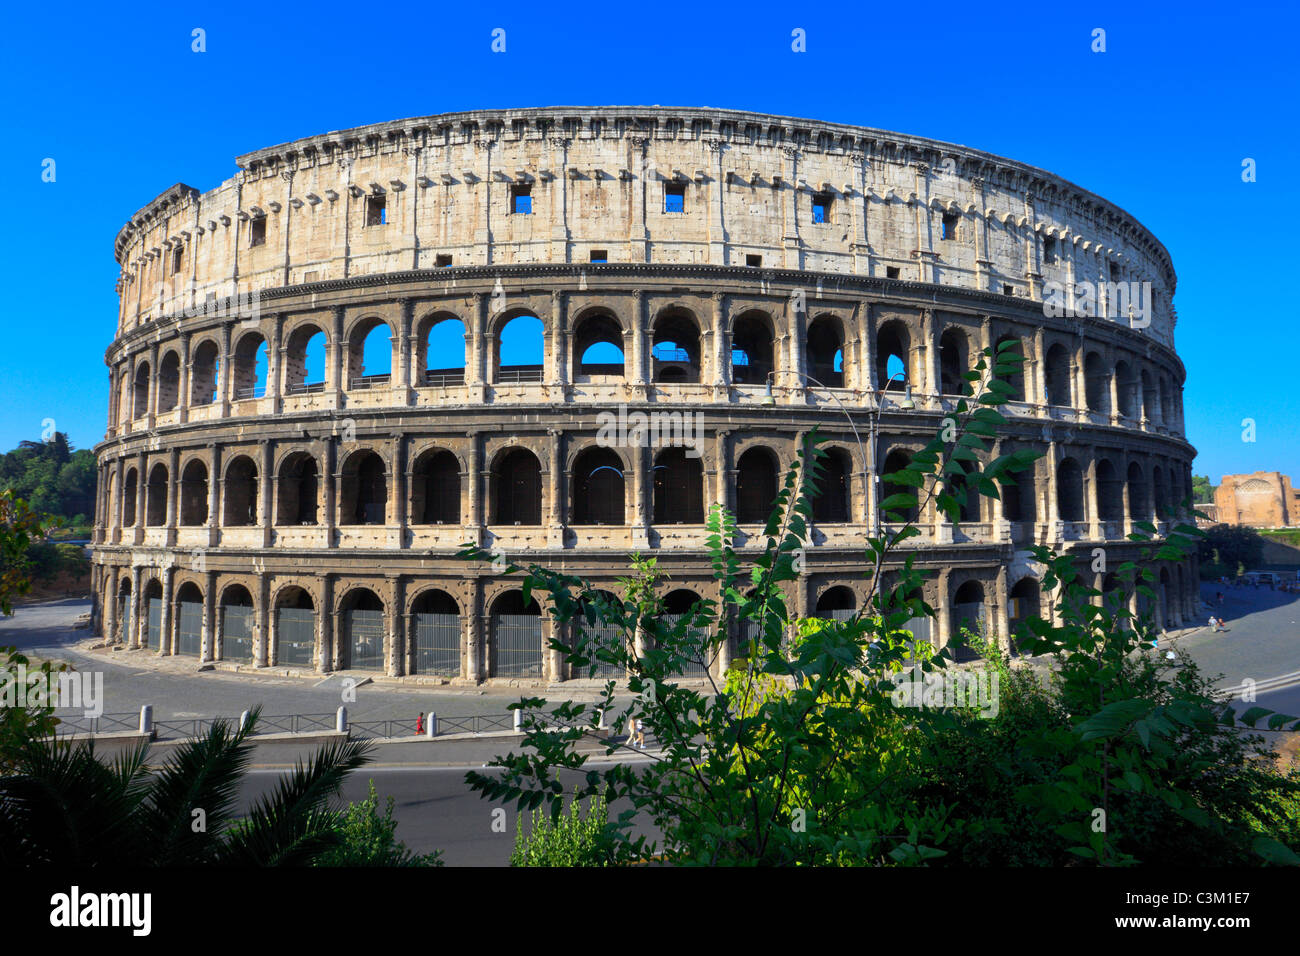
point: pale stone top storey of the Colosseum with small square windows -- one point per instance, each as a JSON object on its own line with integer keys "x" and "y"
{"x": 597, "y": 180}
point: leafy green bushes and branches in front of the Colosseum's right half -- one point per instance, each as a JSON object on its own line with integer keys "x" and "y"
{"x": 803, "y": 756}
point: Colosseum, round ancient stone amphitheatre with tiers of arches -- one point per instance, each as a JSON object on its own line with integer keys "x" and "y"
{"x": 370, "y": 348}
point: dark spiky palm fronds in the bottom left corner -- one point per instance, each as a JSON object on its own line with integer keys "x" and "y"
{"x": 63, "y": 804}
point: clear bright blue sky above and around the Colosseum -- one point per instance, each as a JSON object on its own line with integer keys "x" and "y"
{"x": 1159, "y": 124}
